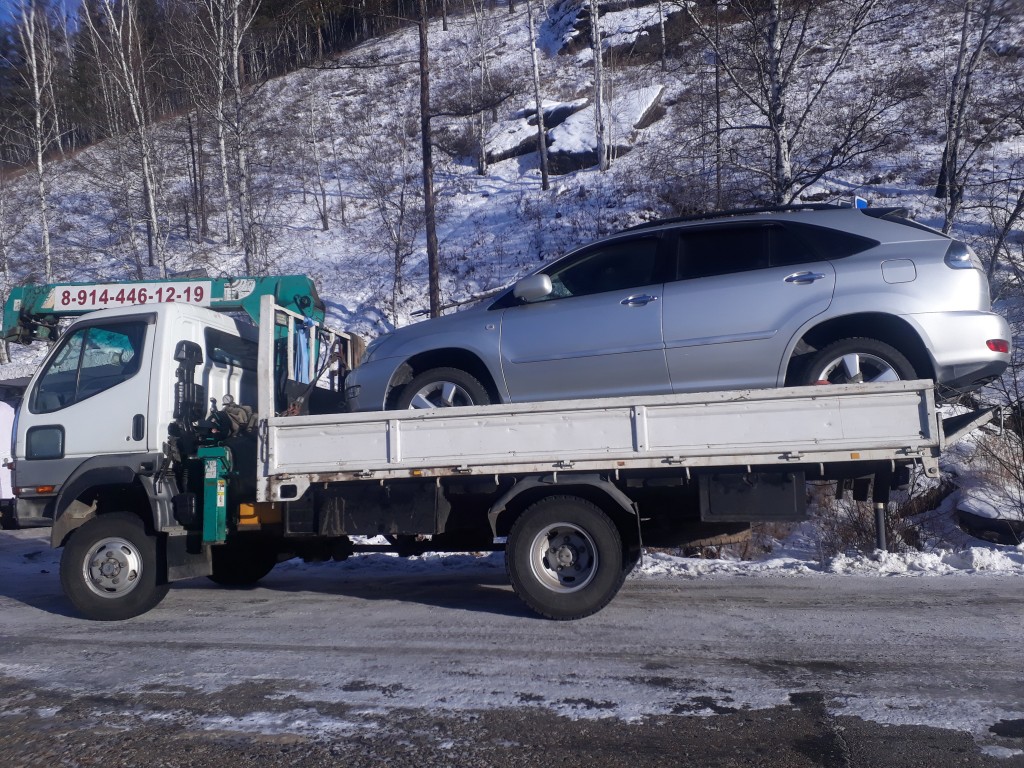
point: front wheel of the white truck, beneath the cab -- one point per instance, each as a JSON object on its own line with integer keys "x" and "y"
{"x": 110, "y": 570}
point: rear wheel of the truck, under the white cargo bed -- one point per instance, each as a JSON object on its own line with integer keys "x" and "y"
{"x": 565, "y": 558}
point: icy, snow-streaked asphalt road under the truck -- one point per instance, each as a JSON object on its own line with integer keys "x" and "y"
{"x": 442, "y": 666}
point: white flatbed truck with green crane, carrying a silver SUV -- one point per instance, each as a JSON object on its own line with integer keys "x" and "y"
{"x": 166, "y": 440}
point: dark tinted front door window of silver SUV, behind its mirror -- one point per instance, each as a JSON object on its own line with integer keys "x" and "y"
{"x": 611, "y": 267}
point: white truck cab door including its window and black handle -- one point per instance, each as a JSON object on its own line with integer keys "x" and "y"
{"x": 91, "y": 399}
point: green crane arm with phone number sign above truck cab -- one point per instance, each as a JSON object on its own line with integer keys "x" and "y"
{"x": 32, "y": 313}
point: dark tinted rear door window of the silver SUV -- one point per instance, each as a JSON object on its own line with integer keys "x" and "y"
{"x": 704, "y": 252}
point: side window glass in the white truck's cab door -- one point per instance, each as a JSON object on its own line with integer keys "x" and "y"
{"x": 89, "y": 362}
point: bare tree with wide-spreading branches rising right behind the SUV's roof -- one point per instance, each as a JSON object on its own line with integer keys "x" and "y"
{"x": 763, "y": 57}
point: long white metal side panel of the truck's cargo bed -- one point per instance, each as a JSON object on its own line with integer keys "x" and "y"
{"x": 799, "y": 425}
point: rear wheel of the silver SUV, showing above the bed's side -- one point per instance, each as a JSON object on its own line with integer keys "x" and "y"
{"x": 858, "y": 361}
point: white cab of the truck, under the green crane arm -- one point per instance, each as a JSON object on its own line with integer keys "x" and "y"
{"x": 99, "y": 410}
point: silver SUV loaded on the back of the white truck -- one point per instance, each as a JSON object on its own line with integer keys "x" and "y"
{"x": 802, "y": 295}
